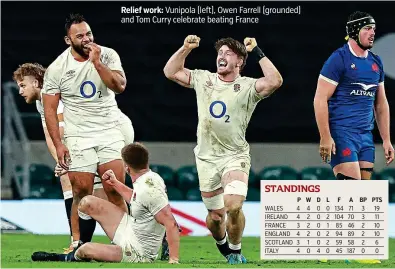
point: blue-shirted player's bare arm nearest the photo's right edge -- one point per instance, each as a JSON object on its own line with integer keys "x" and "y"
{"x": 382, "y": 112}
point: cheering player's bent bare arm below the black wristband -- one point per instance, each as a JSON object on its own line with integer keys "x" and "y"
{"x": 272, "y": 80}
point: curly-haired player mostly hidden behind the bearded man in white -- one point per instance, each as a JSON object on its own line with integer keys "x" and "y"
{"x": 29, "y": 77}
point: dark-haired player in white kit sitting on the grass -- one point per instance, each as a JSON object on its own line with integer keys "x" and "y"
{"x": 138, "y": 236}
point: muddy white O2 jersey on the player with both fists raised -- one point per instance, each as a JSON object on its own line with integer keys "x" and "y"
{"x": 224, "y": 111}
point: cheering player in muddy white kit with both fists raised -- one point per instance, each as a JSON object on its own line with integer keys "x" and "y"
{"x": 226, "y": 101}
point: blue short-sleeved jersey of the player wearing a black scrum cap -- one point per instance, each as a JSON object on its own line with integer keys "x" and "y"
{"x": 351, "y": 106}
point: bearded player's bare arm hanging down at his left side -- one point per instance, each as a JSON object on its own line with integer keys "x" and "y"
{"x": 51, "y": 103}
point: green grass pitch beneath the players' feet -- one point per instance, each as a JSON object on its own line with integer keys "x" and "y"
{"x": 16, "y": 250}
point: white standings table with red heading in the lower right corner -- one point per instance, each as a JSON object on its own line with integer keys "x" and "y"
{"x": 328, "y": 219}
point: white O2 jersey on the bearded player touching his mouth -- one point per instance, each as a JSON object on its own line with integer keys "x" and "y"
{"x": 89, "y": 106}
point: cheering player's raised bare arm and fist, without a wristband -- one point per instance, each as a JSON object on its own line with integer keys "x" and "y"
{"x": 174, "y": 69}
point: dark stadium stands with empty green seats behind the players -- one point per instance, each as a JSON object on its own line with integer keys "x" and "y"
{"x": 282, "y": 132}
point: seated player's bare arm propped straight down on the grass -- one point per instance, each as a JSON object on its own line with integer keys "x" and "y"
{"x": 166, "y": 218}
